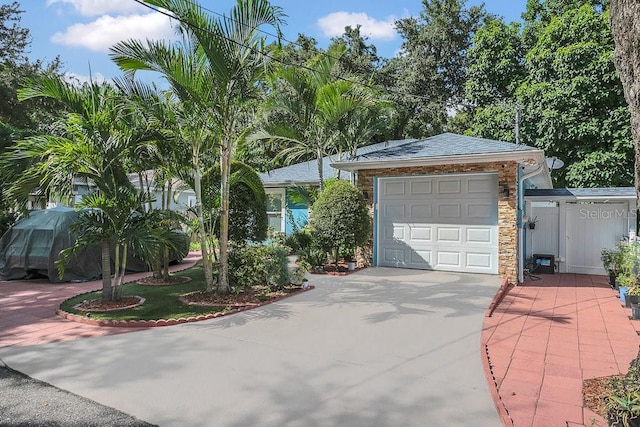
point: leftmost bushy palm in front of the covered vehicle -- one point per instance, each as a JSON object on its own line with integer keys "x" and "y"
{"x": 91, "y": 143}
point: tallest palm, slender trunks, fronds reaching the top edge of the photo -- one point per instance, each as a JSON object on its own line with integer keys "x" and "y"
{"x": 213, "y": 71}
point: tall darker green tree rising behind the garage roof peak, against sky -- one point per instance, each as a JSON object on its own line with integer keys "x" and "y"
{"x": 428, "y": 76}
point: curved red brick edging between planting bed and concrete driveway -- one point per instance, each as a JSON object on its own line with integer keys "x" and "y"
{"x": 165, "y": 322}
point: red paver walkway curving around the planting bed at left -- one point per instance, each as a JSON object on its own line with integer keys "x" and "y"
{"x": 28, "y": 310}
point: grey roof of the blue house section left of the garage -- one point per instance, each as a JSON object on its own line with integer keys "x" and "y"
{"x": 307, "y": 172}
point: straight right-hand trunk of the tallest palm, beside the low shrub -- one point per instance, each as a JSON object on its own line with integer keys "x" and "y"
{"x": 225, "y": 163}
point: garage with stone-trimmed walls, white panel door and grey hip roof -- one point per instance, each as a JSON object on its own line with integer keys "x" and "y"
{"x": 448, "y": 202}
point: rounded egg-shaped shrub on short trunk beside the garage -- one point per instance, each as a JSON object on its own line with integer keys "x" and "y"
{"x": 340, "y": 218}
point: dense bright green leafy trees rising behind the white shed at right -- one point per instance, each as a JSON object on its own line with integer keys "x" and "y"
{"x": 559, "y": 73}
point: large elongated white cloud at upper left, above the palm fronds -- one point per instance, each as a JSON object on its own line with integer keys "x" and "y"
{"x": 105, "y": 31}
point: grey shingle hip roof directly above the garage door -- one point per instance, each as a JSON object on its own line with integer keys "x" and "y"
{"x": 443, "y": 145}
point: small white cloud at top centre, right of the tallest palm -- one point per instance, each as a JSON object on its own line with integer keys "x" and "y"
{"x": 333, "y": 25}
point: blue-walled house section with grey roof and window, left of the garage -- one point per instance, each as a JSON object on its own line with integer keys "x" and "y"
{"x": 285, "y": 215}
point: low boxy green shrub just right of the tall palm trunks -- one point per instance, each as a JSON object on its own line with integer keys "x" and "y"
{"x": 261, "y": 264}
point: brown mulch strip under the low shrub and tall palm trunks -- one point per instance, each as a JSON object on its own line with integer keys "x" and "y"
{"x": 256, "y": 295}
